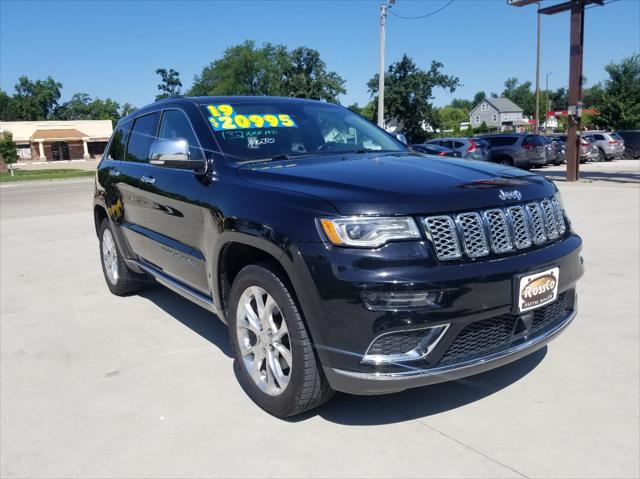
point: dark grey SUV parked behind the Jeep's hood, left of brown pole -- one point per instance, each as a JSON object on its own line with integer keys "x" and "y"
{"x": 522, "y": 150}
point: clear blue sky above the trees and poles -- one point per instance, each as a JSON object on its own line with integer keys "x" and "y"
{"x": 112, "y": 48}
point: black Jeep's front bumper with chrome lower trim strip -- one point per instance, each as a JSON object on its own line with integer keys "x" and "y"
{"x": 472, "y": 292}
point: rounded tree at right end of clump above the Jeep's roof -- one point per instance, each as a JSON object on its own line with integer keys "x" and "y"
{"x": 305, "y": 76}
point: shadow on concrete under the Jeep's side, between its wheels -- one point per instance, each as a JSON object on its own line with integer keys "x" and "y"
{"x": 198, "y": 319}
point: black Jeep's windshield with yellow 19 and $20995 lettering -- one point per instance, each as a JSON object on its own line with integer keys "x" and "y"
{"x": 249, "y": 131}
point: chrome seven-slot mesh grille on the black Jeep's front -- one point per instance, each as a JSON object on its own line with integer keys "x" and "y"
{"x": 498, "y": 230}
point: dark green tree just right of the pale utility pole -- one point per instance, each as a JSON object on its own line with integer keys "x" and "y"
{"x": 408, "y": 92}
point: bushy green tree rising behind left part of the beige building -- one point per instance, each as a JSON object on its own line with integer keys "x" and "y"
{"x": 35, "y": 100}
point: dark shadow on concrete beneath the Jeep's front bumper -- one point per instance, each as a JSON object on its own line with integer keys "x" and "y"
{"x": 425, "y": 401}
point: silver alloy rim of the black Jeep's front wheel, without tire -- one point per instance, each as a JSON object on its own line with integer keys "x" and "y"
{"x": 263, "y": 340}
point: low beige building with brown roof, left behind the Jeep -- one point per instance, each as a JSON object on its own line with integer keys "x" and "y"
{"x": 59, "y": 140}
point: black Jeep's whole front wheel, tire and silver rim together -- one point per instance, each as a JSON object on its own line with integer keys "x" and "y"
{"x": 279, "y": 386}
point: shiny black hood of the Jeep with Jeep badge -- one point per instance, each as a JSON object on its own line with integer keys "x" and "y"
{"x": 400, "y": 183}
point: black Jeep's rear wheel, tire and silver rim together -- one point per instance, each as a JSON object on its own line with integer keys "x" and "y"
{"x": 120, "y": 279}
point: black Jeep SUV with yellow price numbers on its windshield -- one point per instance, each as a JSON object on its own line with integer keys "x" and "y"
{"x": 339, "y": 259}
